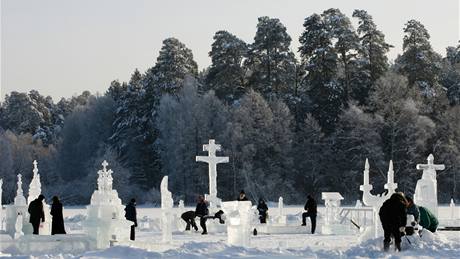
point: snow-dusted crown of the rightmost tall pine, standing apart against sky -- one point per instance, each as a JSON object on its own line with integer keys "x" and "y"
{"x": 419, "y": 62}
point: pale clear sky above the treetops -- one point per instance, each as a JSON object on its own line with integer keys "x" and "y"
{"x": 63, "y": 47}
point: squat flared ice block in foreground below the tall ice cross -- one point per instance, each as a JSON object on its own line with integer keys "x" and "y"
{"x": 238, "y": 215}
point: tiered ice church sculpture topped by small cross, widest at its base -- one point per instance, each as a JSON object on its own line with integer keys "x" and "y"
{"x": 105, "y": 220}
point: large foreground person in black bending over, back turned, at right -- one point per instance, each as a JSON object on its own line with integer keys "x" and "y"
{"x": 393, "y": 216}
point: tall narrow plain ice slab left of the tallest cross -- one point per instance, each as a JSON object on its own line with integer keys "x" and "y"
{"x": 166, "y": 211}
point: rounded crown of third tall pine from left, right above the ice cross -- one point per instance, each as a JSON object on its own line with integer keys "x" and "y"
{"x": 270, "y": 62}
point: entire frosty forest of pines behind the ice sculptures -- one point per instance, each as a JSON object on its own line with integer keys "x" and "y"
{"x": 292, "y": 124}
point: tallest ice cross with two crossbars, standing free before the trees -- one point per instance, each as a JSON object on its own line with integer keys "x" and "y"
{"x": 212, "y": 161}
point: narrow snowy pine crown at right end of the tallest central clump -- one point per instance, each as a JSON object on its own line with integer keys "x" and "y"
{"x": 371, "y": 62}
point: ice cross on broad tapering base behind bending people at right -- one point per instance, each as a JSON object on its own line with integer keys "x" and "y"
{"x": 426, "y": 190}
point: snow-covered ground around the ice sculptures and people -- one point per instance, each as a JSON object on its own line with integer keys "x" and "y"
{"x": 445, "y": 244}
